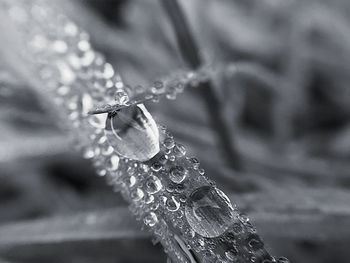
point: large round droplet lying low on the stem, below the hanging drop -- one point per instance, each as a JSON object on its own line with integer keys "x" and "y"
{"x": 208, "y": 211}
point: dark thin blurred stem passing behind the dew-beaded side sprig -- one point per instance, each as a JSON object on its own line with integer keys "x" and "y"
{"x": 191, "y": 55}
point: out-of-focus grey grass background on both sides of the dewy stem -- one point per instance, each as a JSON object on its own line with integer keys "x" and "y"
{"x": 285, "y": 99}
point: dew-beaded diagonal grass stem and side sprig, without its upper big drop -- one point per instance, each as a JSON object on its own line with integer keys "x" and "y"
{"x": 169, "y": 193}
